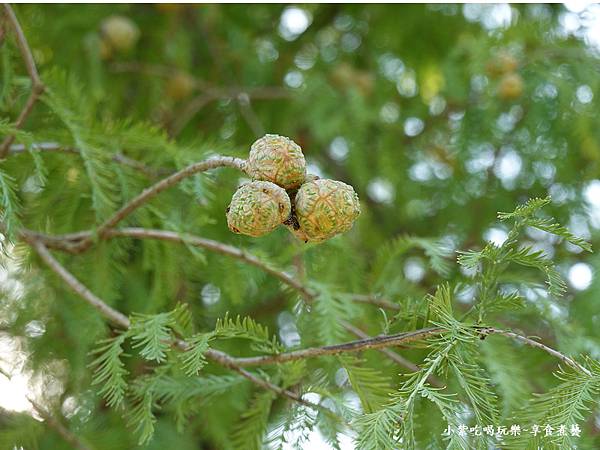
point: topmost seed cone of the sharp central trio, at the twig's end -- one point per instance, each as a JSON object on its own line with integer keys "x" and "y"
{"x": 277, "y": 159}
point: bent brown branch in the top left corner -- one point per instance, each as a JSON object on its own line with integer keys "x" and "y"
{"x": 37, "y": 87}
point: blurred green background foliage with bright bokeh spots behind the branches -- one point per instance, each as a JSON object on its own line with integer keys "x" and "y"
{"x": 439, "y": 116}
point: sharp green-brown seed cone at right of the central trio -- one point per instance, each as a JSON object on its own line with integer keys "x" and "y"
{"x": 324, "y": 208}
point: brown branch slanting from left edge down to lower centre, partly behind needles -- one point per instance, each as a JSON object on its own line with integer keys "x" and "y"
{"x": 123, "y": 321}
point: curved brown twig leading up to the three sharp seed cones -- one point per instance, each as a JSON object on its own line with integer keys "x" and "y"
{"x": 152, "y": 191}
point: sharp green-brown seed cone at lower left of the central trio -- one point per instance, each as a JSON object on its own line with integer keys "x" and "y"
{"x": 257, "y": 208}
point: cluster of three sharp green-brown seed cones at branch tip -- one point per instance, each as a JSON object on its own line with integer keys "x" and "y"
{"x": 282, "y": 193}
